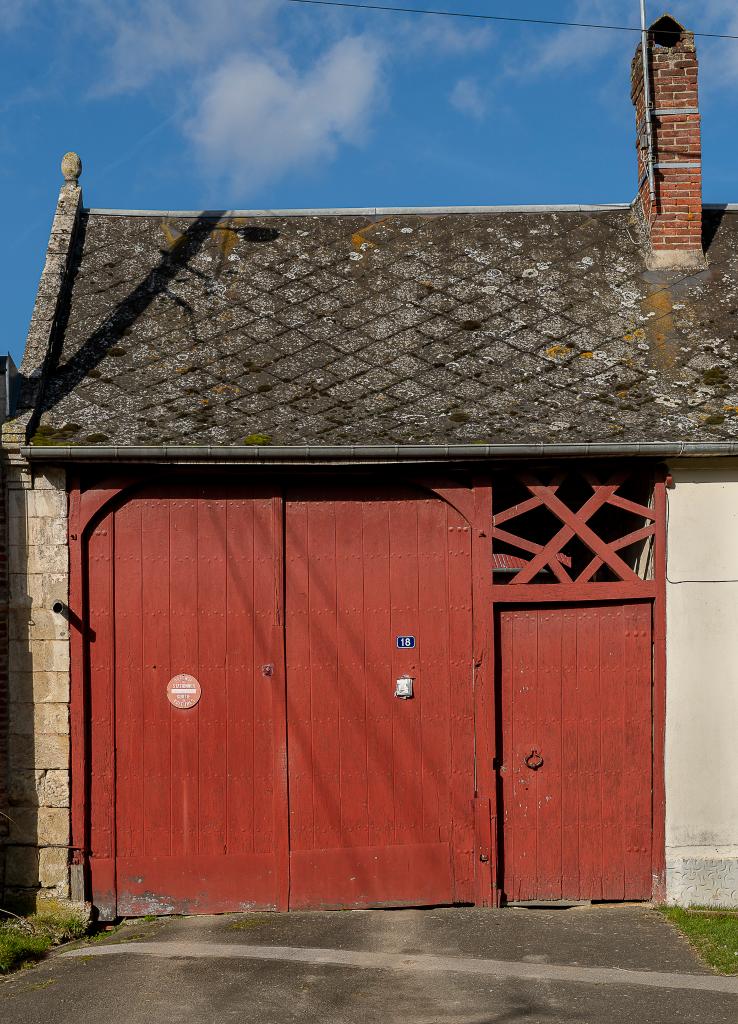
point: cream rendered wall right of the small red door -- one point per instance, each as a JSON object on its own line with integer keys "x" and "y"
{"x": 703, "y": 684}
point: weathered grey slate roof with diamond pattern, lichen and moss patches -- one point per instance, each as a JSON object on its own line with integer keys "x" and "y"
{"x": 440, "y": 328}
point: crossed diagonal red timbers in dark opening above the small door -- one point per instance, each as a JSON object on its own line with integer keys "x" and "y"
{"x": 577, "y": 513}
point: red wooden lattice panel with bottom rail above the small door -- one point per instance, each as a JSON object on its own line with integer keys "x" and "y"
{"x": 571, "y": 531}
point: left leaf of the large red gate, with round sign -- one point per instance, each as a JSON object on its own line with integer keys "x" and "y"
{"x": 194, "y": 799}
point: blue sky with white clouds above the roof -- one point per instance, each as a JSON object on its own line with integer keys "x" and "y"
{"x": 266, "y": 104}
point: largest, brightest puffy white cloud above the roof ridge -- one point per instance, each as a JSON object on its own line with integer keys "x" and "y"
{"x": 257, "y": 118}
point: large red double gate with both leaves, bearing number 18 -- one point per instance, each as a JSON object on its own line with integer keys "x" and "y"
{"x": 298, "y": 779}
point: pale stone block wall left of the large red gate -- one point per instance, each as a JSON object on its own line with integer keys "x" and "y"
{"x": 37, "y": 852}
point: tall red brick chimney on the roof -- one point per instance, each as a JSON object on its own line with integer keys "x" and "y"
{"x": 673, "y": 215}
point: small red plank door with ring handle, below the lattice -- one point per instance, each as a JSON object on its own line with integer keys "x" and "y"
{"x": 577, "y": 752}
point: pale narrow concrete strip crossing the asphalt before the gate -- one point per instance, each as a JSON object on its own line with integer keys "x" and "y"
{"x": 502, "y": 970}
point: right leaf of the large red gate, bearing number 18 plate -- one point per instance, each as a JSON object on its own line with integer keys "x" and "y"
{"x": 381, "y": 789}
